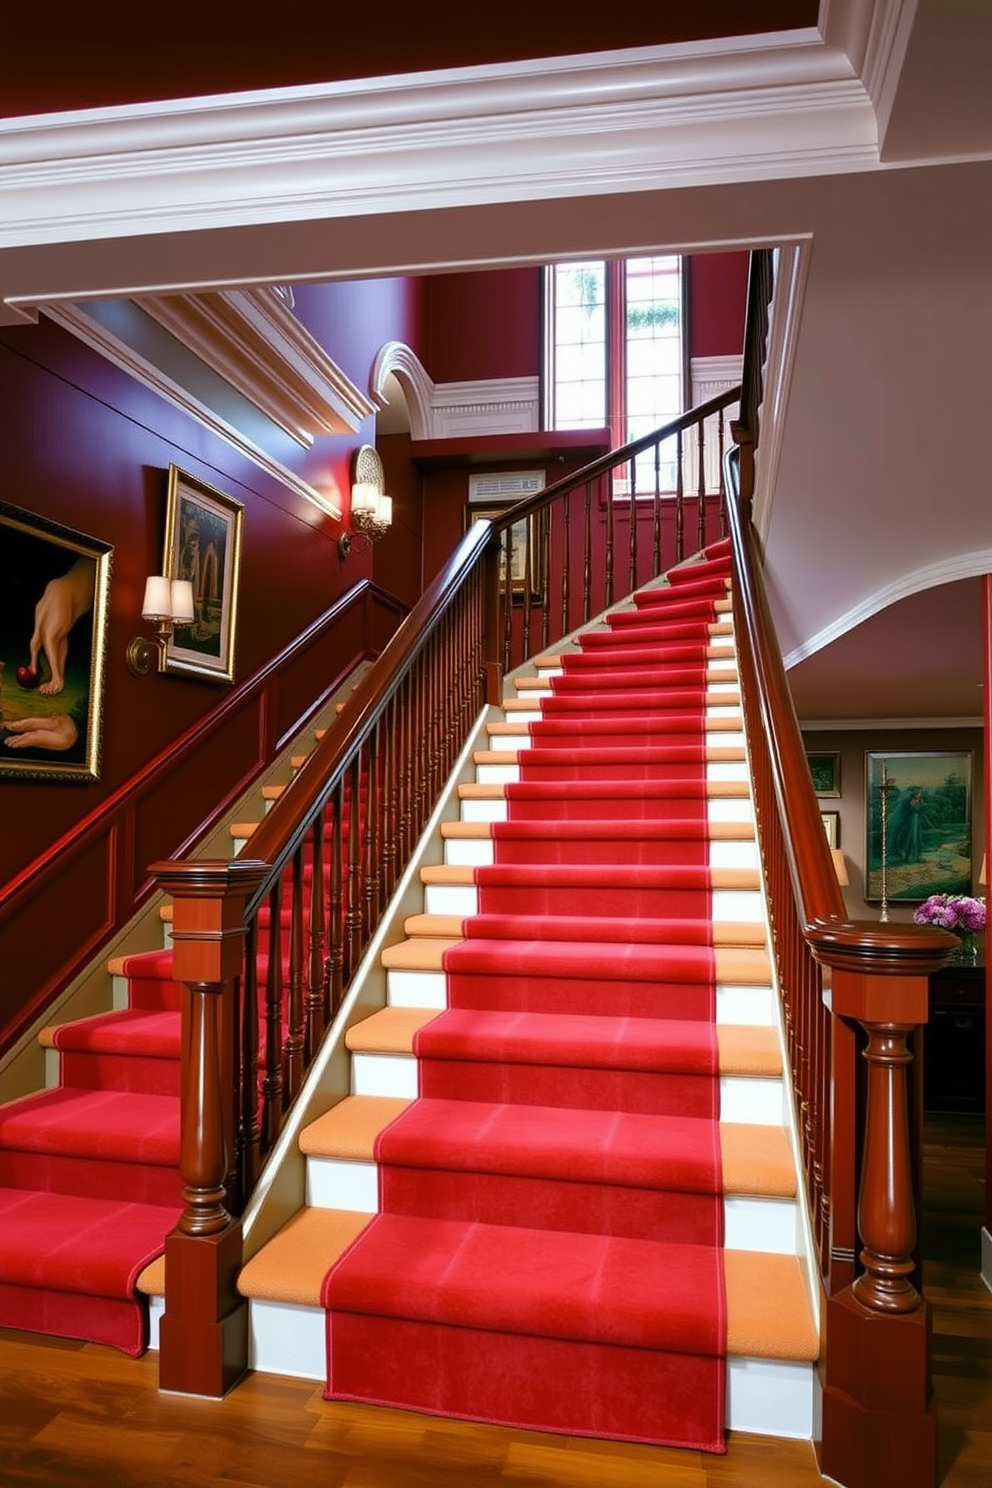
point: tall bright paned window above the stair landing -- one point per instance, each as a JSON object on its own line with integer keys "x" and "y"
{"x": 615, "y": 355}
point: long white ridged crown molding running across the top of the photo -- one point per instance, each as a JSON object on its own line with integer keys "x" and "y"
{"x": 746, "y": 109}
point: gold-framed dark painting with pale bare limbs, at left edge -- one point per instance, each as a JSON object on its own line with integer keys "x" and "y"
{"x": 54, "y": 602}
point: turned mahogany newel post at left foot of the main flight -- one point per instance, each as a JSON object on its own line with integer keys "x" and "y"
{"x": 204, "y": 1333}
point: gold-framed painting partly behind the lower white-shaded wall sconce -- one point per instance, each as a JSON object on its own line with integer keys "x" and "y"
{"x": 203, "y": 544}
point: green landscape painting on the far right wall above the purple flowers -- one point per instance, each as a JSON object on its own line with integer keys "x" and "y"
{"x": 918, "y": 825}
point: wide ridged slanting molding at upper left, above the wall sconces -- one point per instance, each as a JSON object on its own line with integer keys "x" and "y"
{"x": 255, "y": 343}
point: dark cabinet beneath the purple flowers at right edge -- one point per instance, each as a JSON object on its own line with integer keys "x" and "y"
{"x": 954, "y": 1041}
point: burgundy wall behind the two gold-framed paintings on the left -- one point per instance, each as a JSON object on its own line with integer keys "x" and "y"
{"x": 88, "y": 447}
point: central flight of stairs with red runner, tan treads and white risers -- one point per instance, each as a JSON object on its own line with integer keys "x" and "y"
{"x": 587, "y": 749}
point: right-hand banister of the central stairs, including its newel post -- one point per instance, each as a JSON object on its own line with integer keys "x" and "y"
{"x": 843, "y": 984}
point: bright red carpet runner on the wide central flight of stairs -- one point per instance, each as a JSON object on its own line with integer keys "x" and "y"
{"x": 548, "y": 1243}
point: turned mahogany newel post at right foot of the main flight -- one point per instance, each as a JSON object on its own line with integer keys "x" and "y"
{"x": 878, "y": 1417}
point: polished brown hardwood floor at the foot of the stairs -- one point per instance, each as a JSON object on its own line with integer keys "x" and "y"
{"x": 77, "y": 1416}
